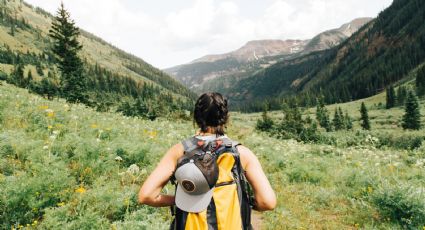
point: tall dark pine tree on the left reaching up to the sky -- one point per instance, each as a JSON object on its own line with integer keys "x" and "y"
{"x": 66, "y": 47}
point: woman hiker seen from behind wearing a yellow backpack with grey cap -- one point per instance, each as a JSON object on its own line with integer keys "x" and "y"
{"x": 213, "y": 176}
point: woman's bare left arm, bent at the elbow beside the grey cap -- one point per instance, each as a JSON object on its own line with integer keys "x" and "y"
{"x": 150, "y": 192}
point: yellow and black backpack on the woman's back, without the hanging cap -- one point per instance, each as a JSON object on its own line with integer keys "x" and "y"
{"x": 230, "y": 206}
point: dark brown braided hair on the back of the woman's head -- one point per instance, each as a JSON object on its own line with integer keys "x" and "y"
{"x": 211, "y": 111}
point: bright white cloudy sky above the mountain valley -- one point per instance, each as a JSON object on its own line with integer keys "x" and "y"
{"x": 167, "y": 33}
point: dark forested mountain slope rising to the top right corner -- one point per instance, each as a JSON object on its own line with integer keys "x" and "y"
{"x": 387, "y": 50}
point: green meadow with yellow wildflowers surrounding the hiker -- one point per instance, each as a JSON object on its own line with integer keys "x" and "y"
{"x": 70, "y": 166}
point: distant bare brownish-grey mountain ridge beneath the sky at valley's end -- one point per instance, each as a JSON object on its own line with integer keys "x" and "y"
{"x": 201, "y": 74}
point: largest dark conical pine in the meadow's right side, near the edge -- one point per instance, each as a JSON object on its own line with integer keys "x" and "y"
{"x": 412, "y": 116}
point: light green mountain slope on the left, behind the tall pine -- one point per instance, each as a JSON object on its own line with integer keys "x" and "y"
{"x": 114, "y": 75}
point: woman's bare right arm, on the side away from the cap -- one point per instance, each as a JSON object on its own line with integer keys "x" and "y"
{"x": 265, "y": 198}
